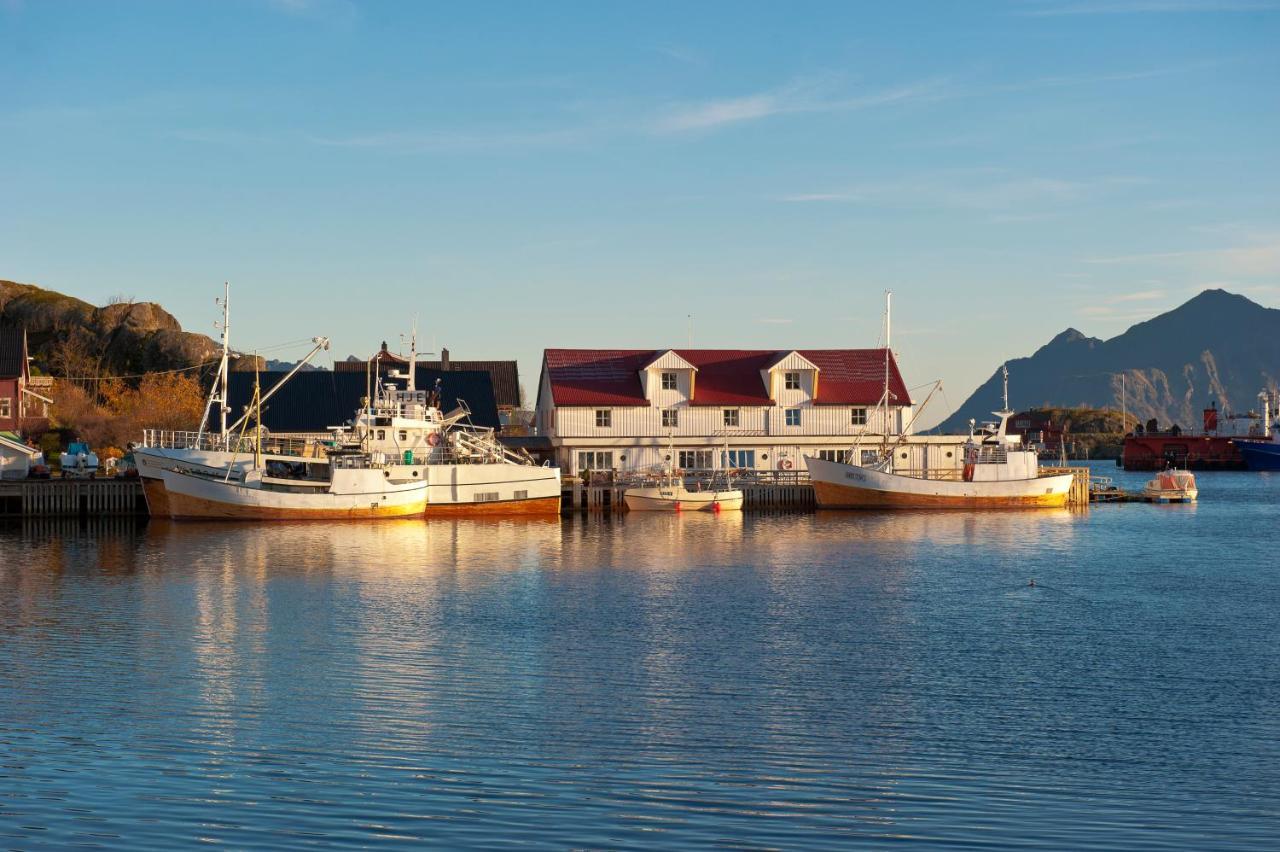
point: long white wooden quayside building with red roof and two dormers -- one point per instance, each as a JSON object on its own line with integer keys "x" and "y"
{"x": 628, "y": 410}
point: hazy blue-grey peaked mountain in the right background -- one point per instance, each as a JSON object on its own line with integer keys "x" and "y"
{"x": 1217, "y": 347}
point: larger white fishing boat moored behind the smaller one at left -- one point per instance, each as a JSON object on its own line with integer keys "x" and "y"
{"x": 468, "y": 471}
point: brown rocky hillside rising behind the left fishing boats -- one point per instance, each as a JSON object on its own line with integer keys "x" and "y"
{"x": 71, "y": 337}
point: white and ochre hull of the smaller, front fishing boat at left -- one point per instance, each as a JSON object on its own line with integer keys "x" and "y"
{"x": 196, "y": 498}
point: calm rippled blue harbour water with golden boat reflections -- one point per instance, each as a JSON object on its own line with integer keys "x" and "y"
{"x": 799, "y": 681}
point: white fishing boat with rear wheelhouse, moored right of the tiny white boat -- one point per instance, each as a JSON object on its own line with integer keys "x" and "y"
{"x": 999, "y": 474}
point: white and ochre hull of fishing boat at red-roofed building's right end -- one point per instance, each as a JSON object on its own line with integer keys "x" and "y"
{"x": 848, "y": 487}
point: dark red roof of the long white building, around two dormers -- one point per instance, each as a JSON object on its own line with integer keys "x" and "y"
{"x": 725, "y": 377}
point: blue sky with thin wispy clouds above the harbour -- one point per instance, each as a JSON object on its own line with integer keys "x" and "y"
{"x": 523, "y": 176}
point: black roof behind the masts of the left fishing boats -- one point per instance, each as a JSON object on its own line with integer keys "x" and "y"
{"x": 313, "y": 402}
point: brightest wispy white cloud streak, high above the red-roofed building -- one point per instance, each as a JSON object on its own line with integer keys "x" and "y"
{"x": 789, "y": 100}
